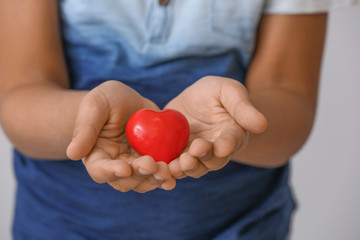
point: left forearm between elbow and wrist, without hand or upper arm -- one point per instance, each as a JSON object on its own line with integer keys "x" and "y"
{"x": 38, "y": 118}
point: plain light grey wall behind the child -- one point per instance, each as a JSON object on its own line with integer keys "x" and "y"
{"x": 325, "y": 172}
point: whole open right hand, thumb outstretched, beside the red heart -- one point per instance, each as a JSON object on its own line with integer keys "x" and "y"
{"x": 220, "y": 115}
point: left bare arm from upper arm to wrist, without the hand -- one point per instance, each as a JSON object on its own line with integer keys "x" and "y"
{"x": 37, "y": 110}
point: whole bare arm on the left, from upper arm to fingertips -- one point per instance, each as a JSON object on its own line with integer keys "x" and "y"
{"x": 40, "y": 114}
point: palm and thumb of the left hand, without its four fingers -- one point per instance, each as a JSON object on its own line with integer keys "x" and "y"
{"x": 102, "y": 117}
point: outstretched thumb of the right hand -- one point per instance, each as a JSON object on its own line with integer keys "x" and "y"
{"x": 235, "y": 99}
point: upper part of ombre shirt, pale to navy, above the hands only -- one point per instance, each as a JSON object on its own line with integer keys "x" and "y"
{"x": 134, "y": 41}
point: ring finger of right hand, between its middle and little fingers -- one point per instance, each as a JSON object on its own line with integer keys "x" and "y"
{"x": 198, "y": 168}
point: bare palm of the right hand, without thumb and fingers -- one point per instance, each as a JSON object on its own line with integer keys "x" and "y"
{"x": 202, "y": 105}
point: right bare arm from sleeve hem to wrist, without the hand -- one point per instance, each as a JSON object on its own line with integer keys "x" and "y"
{"x": 283, "y": 83}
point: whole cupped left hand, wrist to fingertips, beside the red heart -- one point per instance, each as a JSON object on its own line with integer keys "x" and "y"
{"x": 100, "y": 141}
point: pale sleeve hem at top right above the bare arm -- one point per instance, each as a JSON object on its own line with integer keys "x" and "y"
{"x": 305, "y": 6}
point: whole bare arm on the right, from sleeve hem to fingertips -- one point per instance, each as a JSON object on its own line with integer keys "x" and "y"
{"x": 281, "y": 83}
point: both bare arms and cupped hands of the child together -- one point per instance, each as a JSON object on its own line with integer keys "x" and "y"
{"x": 40, "y": 114}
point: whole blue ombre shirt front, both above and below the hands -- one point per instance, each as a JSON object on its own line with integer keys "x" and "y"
{"x": 159, "y": 51}
